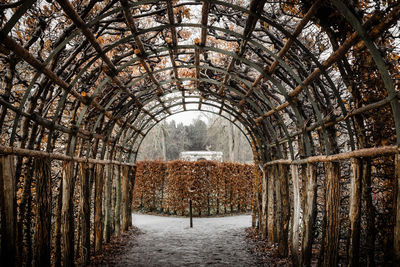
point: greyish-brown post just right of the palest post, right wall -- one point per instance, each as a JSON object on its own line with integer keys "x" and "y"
{"x": 309, "y": 213}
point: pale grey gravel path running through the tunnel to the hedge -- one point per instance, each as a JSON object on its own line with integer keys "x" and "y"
{"x": 168, "y": 241}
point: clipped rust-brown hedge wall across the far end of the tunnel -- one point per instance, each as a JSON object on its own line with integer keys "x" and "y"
{"x": 214, "y": 187}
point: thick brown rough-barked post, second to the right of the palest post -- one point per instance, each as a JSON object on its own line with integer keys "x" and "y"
{"x": 331, "y": 241}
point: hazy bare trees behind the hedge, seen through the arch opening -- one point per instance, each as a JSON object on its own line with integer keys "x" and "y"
{"x": 167, "y": 139}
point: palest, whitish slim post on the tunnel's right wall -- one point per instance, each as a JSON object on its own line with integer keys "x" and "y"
{"x": 296, "y": 215}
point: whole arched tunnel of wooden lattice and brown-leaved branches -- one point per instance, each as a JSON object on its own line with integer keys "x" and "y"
{"x": 313, "y": 84}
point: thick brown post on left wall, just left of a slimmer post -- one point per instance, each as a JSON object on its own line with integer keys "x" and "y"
{"x": 67, "y": 216}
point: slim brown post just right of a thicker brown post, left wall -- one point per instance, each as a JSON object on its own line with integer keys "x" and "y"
{"x": 84, "y": 174}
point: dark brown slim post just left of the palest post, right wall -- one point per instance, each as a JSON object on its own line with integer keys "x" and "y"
{"x": 284, "y": 183}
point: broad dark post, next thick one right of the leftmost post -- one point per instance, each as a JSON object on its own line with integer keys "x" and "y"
{"x": 42, "y": 245}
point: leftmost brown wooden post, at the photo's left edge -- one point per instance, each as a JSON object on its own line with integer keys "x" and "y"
{"x": 8, "y": 210}
